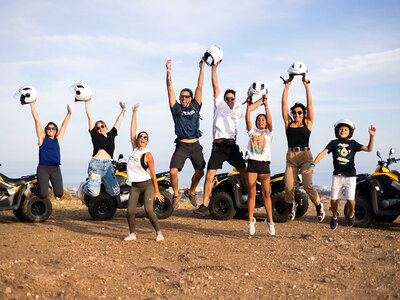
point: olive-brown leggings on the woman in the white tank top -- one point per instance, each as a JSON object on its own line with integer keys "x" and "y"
{"x": 145, "y": 189}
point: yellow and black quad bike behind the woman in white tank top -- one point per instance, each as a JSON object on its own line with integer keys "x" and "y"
{"x": 104, "y": 206}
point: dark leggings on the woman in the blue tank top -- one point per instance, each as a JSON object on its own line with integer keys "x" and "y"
{"x": 44, "y": 174}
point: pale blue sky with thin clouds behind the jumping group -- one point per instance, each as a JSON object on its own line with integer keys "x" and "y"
{"x": 351, "y": 48}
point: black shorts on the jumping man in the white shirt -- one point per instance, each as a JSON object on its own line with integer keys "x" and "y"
{"x": 222, "y": 152}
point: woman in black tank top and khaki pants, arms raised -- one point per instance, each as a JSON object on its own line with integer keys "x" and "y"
{"x": 298, "y": 126}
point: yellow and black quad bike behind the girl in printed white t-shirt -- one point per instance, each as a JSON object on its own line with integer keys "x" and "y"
{"x": 227, "y": 199}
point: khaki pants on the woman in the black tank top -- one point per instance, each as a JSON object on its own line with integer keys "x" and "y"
{"x": 296, "y": 161}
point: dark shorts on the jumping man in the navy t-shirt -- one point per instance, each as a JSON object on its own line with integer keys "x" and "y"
{"x": 183, "y": 151}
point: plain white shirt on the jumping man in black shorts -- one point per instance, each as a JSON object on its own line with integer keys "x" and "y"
{"x": 226, "y": 120}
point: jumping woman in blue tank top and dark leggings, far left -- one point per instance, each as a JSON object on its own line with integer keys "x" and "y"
{"x": 49, "y": 141}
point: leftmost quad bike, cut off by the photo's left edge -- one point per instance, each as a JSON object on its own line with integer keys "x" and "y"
{"x": 13, "y": 196}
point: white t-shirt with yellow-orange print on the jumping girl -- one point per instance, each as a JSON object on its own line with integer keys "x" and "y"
{"x": 259, "y": 147}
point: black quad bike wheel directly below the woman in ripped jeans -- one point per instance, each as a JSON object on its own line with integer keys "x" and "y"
{"x": 102, "y": 207}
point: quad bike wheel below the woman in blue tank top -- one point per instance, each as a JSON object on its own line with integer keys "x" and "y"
{"x": 36, "y": 209}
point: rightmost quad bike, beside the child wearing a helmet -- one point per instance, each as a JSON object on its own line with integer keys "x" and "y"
{"x": 378, "y": 194}
